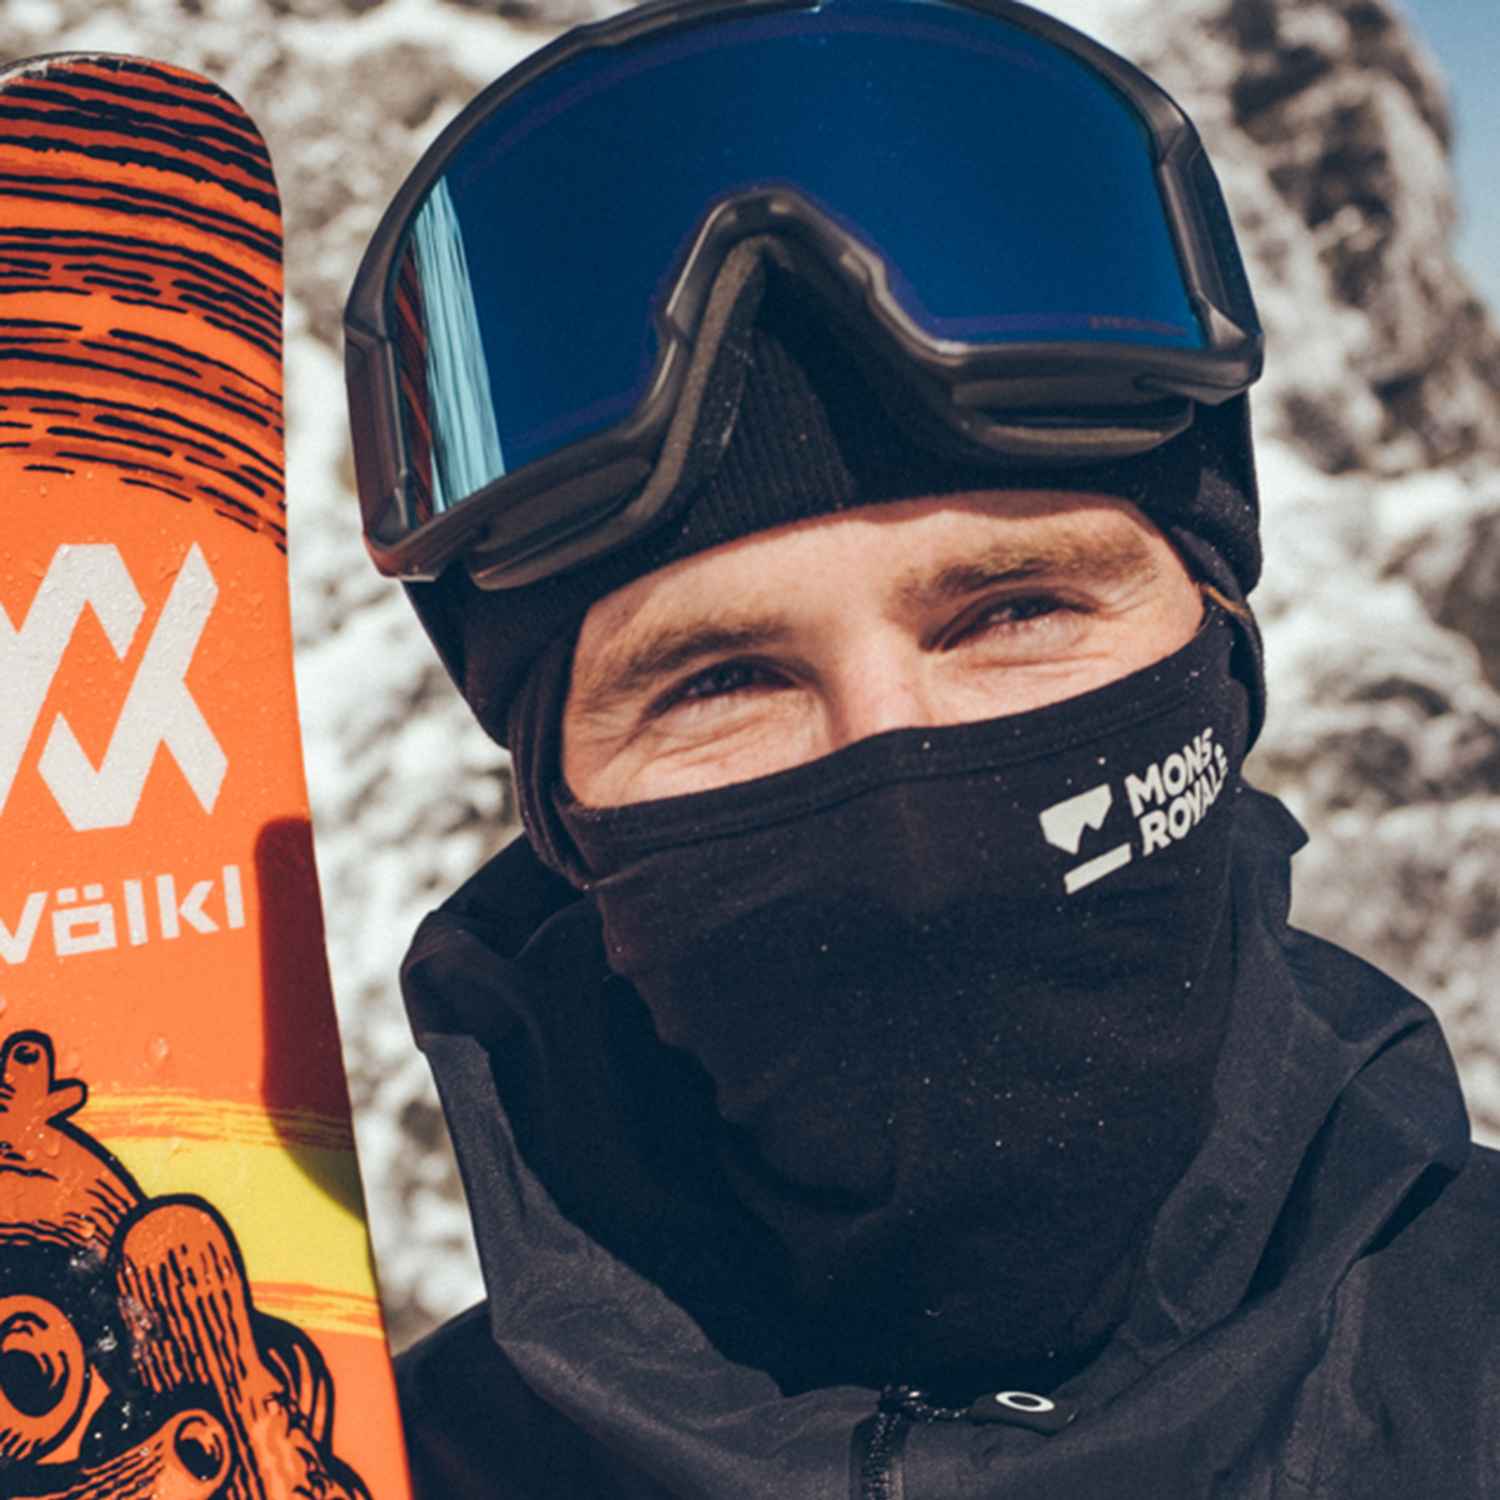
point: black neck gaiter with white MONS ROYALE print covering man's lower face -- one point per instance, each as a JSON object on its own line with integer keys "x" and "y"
{"x": 961, "y": 994}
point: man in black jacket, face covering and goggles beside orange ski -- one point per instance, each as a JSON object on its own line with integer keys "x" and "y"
{"x": 817, "y": 442}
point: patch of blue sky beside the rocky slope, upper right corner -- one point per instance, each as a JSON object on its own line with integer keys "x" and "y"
{"x": 1466, "y": 37}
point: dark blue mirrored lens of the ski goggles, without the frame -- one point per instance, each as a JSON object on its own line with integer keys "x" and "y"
{"x": 1009, "y": 188}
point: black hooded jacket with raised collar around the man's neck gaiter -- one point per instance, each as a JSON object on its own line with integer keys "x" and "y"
{"x": 1316, "y": 1315}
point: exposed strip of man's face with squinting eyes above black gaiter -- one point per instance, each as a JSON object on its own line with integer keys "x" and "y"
{"x": 790, "y": 644}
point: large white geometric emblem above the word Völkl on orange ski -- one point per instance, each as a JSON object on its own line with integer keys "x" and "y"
{"x": 158, "y": 707}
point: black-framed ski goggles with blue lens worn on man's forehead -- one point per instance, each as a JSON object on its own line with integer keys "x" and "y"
{"x": 1024, "y": 229}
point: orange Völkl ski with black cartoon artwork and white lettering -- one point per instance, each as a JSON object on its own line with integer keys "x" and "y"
{"x": 187, "y": 1300}
